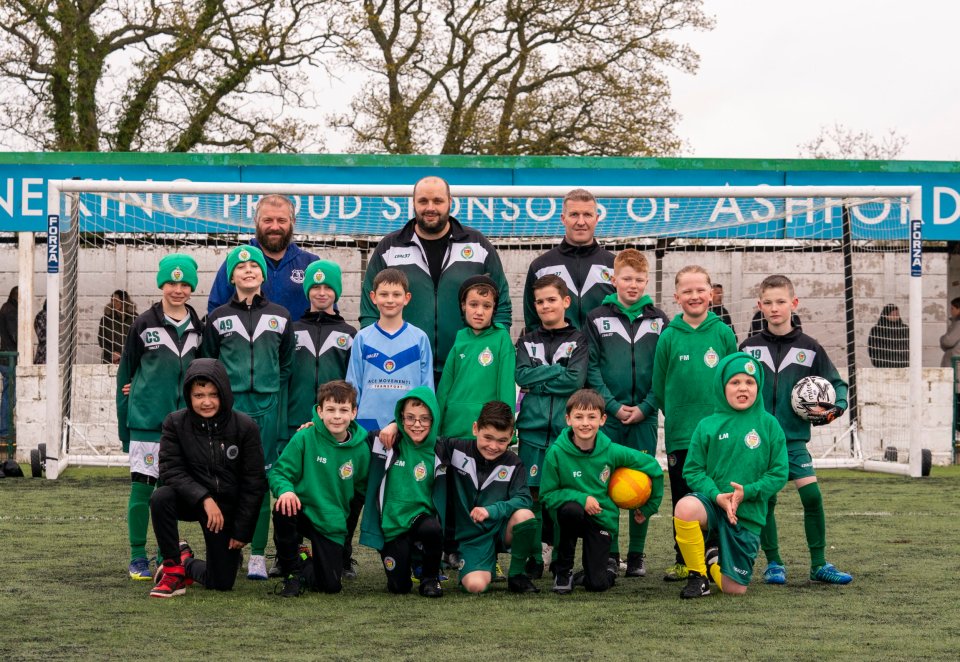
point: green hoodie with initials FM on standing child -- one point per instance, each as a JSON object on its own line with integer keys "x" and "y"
{"x": 683, "y": 371}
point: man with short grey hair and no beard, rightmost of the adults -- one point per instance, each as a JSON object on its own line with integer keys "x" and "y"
{"x": 583, "y": 264}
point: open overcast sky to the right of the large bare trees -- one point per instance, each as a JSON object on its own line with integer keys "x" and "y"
{"x": 772, "y": 72}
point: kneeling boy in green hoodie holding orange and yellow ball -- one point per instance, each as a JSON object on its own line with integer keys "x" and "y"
{"x": 574, "y": 488}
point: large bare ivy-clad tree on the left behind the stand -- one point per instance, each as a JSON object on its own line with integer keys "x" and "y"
{"x": 172, "y": 75}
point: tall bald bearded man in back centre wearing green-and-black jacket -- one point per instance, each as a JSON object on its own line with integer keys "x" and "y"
{"x": 437, "y": 253}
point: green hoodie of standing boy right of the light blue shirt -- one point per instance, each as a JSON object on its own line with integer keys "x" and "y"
{"x": 480, "y": 368}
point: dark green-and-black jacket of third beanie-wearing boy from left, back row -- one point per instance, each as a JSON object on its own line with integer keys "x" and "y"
{"x": 322, "y": 353}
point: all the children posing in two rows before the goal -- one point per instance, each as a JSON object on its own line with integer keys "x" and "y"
{"x": 350, "y": 420}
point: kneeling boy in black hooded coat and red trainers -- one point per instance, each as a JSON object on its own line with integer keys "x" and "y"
{"x": 211, "y": 467}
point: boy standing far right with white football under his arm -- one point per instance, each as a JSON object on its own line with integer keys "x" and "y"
{"x": 788, "y": 355}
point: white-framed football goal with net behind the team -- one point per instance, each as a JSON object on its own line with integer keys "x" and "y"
{"x": 847, "y": 250}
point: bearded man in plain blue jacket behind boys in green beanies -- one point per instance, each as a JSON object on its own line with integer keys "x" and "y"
{"x": 286, "y": 262}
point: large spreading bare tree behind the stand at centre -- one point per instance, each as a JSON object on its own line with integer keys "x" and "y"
{"x": 519, "y": 76}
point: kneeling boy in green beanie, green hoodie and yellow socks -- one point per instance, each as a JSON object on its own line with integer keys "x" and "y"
{"x": 737, "y": 460}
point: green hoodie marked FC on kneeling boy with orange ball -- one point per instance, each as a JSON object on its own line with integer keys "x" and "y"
{"x": 569, "y": 474}
